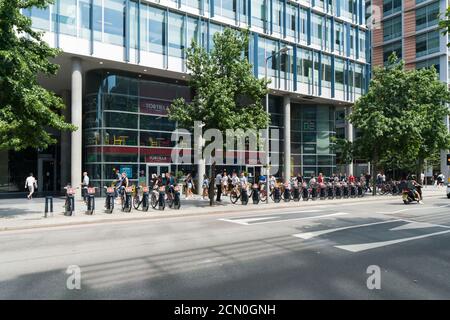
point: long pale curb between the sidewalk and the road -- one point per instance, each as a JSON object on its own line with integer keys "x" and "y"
{"x": 192, "y": 214}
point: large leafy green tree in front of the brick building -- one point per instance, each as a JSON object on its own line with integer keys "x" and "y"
{"x": 400, "y": 119}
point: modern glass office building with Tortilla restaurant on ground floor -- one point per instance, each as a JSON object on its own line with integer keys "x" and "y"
{"x": 124, "y": 62}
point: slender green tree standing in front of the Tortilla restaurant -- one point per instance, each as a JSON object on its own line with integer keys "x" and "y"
{"x": 226, "y": 94}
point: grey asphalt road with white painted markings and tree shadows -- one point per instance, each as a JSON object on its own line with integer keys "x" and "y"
{"x": 320, "y": 252}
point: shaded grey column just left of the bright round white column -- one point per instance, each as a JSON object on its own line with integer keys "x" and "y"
{"x": 65, "y": 143}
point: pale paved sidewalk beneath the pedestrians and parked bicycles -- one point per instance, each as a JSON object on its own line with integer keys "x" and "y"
{"x": 25, "y": 214}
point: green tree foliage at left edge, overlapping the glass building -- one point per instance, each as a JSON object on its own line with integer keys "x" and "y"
{"x": 27, "y": 110}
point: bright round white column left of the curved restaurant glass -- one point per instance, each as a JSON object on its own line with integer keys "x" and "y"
{"x": 76, "y": 112}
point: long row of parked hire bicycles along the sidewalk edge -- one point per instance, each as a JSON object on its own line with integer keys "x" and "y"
{"x": 143, "y": 197}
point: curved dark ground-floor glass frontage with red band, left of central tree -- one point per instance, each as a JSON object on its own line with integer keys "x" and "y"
{"x": 125, "y": 124}
